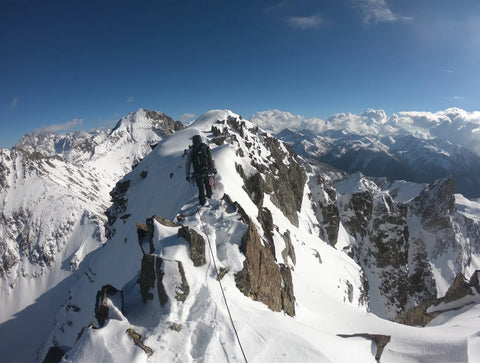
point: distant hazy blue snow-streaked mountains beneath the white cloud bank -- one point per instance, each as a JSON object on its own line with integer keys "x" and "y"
{"x": 396, "y": 157}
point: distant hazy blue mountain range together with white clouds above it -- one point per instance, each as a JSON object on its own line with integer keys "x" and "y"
{"x": 378, "y": 147}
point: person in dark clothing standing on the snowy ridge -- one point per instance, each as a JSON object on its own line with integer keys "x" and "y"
{"x": 203, "y": 167}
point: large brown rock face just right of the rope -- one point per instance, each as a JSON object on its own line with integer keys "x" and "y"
{"x": 262, "y": 278}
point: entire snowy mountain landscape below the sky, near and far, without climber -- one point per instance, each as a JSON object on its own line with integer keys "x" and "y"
{"x": 106, "y": 255}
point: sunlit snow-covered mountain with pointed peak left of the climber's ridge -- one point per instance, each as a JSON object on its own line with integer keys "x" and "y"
{"x": 54, "y": 193}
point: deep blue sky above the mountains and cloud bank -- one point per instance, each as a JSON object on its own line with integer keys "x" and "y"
{"x": 88, "y": 63}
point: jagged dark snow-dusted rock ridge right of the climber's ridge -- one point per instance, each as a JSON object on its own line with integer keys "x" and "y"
{"x": 396, "y": 244}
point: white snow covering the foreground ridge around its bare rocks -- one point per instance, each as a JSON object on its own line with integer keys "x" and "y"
{"x": 327, "y": 283}
